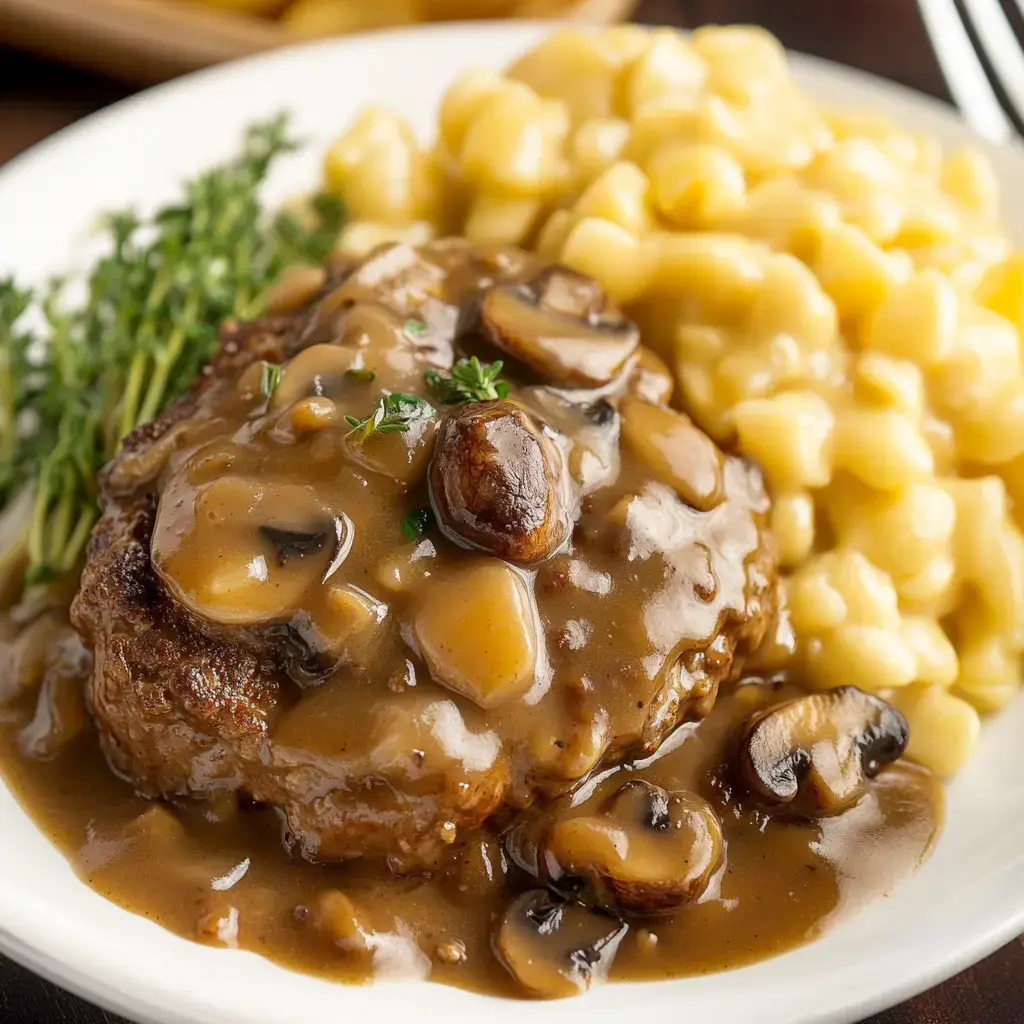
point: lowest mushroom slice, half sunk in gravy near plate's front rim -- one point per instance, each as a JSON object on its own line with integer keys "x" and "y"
{"x": 556, "y": 950}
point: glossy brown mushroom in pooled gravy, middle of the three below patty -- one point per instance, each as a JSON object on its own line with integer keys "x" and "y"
{"x": 647, "y": 852}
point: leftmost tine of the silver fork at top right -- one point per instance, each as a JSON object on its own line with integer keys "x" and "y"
{"x": 964, "y": 72}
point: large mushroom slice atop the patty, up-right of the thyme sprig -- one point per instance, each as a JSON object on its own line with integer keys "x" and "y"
{"x": 562, "y": 326}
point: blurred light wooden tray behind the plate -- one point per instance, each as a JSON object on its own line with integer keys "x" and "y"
{"x": 148, "y": 41}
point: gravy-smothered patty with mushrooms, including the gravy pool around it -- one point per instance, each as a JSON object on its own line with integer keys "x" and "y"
{"x": 466, "y": 638}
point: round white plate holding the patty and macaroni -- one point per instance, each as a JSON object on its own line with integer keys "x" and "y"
{"x": 967, "y": 901}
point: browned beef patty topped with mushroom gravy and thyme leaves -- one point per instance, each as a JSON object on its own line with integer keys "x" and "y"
{"x": 362, "y": 578}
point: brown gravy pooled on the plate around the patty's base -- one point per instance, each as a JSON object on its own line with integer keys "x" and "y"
{"x": 218, "y": 874}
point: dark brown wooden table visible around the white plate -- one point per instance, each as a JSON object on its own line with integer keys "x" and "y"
{"x": 882, "y": 36}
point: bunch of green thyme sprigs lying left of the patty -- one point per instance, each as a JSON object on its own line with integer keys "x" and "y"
{"x": 149, "y": 321}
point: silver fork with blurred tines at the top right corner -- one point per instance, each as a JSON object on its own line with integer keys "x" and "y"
{"x": 964, "y": 70}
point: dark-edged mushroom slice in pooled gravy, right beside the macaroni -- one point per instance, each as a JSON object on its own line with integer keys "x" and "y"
{"x": 815, "y": 754}
